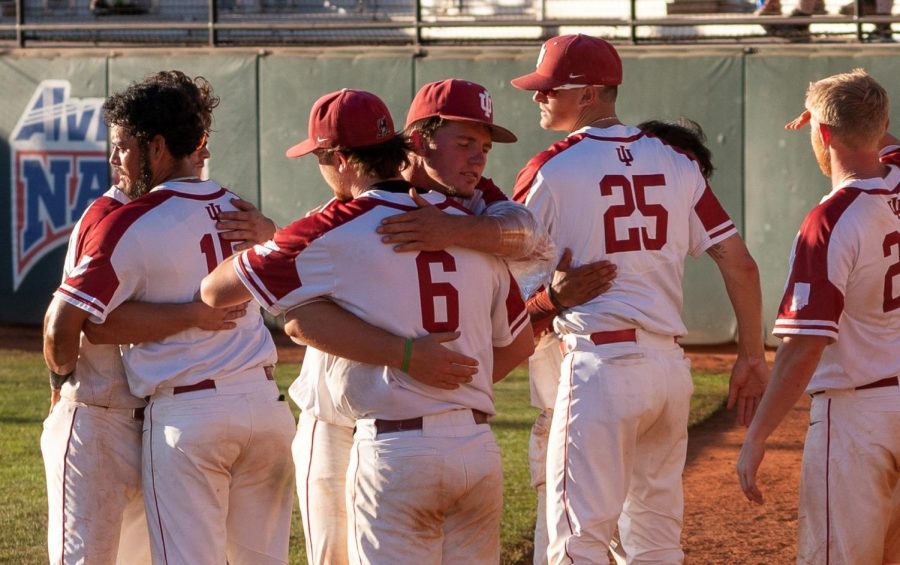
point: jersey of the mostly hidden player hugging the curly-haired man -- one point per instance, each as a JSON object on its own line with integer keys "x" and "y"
{"x": 99, "y": 377}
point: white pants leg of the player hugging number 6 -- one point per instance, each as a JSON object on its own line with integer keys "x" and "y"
{"x": 321, "y": 457}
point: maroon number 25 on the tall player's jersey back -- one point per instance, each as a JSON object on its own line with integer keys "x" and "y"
{"x": 633, "y": 196}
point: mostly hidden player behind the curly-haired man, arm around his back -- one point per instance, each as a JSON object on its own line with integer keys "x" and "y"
{"x": 95, "y": 510}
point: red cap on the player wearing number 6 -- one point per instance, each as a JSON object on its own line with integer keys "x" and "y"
{"x": 347, "y": 119}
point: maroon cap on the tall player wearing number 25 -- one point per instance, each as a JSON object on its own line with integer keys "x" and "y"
{"x": 573, "y": 60}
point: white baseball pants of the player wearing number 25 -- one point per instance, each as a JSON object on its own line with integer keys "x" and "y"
{"x": 617, "y": 447}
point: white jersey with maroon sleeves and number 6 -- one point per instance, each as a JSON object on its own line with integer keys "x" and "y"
{"x": 337, "y": 254}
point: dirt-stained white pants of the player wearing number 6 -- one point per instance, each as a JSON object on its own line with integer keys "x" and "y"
{"x": 425, "y": 497}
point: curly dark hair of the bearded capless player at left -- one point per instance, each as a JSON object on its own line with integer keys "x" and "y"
{"x": 168, "y": 103}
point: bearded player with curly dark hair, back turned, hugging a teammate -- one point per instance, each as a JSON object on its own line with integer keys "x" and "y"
{"x": 216, "y": 477}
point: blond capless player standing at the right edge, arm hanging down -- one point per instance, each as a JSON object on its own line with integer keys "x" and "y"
{"x": 840, "y": 324}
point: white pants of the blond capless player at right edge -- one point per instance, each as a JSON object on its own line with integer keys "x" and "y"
{"x": 849, "y": 504}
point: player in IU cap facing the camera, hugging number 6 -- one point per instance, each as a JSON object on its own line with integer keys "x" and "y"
{"x": 450, "y": 127}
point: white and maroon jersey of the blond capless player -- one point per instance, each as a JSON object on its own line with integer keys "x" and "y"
{"x": 844, "y": 283}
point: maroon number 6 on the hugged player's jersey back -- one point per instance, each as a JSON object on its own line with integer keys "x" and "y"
{"x": 431, "y": 293}
